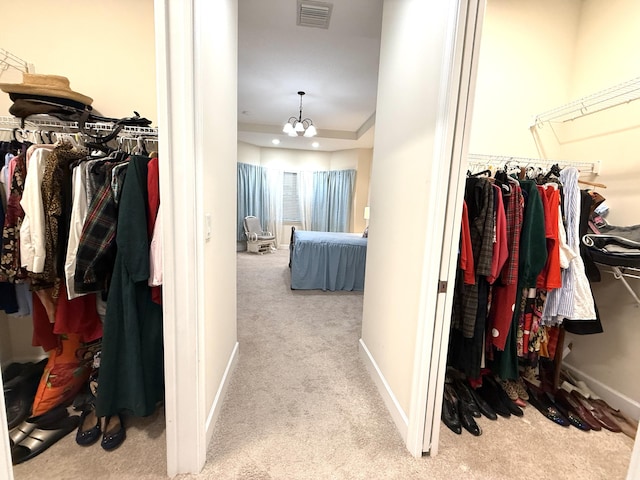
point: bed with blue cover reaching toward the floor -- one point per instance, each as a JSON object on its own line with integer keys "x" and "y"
{"x": 327, "y": 260}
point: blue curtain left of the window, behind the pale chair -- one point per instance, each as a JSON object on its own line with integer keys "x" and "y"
{"x": 253, "y": 194}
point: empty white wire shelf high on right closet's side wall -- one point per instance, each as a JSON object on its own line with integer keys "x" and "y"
{"x": 611, "y": 97}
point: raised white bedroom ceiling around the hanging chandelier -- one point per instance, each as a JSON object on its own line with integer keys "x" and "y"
{"x": 337, "y": 67}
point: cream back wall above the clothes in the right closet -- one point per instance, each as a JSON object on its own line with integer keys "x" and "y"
{"x": 525, "y": 65}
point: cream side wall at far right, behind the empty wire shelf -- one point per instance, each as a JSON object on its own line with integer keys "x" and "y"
{"x": 605, "y": 56}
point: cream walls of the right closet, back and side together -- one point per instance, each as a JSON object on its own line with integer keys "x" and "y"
{"x": 540, "y": 54}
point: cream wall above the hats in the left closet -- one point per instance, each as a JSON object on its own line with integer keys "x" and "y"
{"x": 105, "y": 49}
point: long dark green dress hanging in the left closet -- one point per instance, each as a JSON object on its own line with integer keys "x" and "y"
{"x": 131, "y": 375}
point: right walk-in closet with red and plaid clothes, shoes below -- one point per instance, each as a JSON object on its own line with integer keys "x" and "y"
{"x": 555, "y": 107}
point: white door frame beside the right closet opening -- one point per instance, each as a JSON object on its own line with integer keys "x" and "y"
{"x": 456, "y": 112}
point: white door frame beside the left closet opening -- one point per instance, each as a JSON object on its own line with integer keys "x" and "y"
{"x": 175, "y": 33}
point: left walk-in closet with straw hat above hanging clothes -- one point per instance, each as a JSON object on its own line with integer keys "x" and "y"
{"x": 78, "y": 130}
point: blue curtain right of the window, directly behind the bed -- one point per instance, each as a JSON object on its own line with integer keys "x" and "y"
{"x": 332, "y": 197}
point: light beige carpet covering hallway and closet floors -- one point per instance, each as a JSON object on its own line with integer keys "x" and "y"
{"x": 301, "y": 405}
